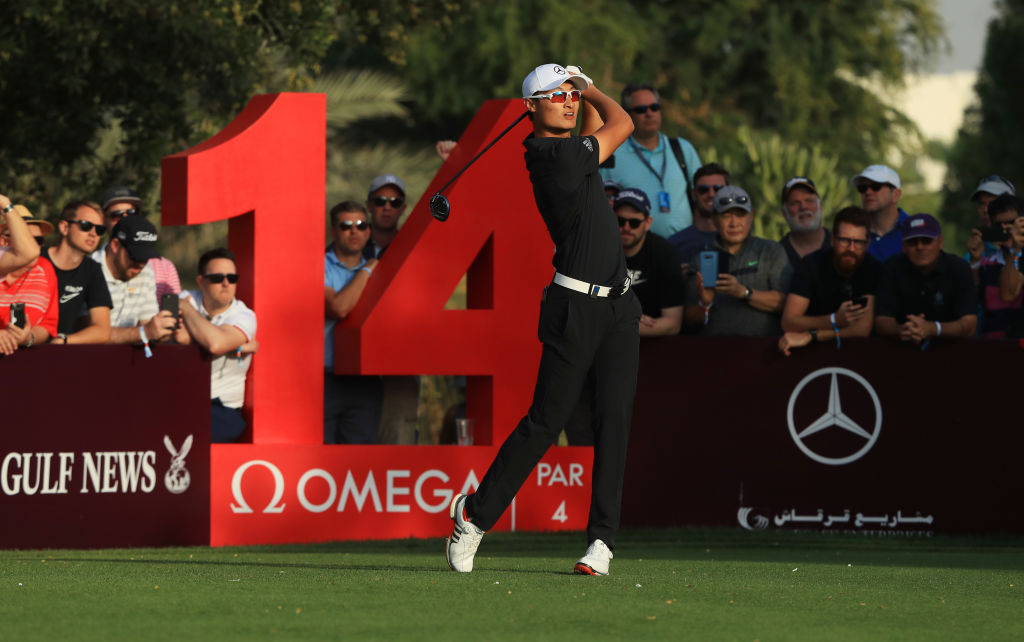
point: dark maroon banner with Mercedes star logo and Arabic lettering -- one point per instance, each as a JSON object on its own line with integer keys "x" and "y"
{"x": 876, "y": 438}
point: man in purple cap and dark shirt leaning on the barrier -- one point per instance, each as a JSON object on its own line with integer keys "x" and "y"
{"x": 925, "y": 293}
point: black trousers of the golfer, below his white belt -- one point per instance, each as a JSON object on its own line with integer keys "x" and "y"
{"x": 580, "y": 335}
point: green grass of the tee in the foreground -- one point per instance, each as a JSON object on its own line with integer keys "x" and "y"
{"x": 671, "y": 585}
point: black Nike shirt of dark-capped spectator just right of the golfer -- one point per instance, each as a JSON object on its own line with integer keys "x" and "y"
{"x": 656, "y": 276}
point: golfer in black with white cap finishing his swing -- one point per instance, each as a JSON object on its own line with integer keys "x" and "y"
{"x": 589, "y": 318}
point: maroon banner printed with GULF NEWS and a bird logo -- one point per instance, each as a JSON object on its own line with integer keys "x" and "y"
{"x": 104, "y": 448}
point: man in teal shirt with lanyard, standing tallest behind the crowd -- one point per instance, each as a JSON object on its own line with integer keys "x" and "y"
{"x": 648, "y": 162}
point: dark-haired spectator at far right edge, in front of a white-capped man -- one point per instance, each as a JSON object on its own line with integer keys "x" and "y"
{"x": 999, "y": 288}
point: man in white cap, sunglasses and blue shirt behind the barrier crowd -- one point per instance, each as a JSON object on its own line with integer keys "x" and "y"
{"x": 880, "y": 192}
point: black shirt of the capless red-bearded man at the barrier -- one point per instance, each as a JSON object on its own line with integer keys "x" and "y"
{"x": 818, "y": 280}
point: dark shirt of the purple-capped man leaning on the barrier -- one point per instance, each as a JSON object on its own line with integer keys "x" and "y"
{"x": 946, "y": 294}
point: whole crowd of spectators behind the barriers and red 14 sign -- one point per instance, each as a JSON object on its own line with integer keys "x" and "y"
{"x": 687, "y": 233}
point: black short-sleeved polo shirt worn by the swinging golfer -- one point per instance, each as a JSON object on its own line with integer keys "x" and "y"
{"x": 571, "y": 197}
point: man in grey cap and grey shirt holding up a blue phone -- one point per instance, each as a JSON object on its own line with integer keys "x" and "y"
{"x": 752, "y": 276}
